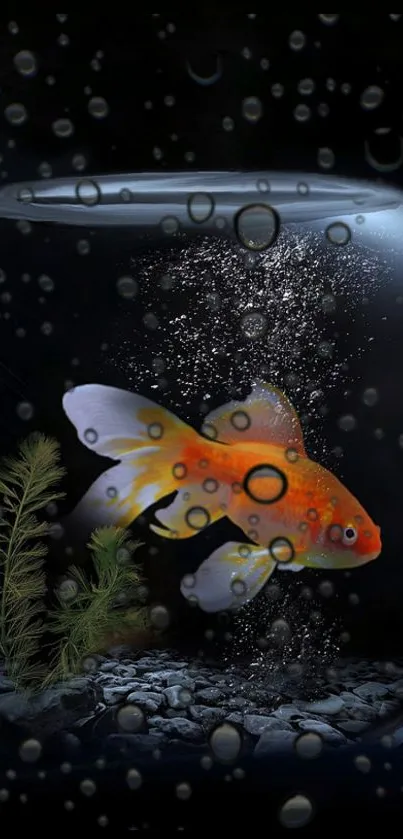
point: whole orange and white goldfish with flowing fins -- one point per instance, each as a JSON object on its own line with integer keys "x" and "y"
{"x": 248, "y": 463}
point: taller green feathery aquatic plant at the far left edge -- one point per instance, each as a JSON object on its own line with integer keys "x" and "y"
{"x": 28, "y": 484}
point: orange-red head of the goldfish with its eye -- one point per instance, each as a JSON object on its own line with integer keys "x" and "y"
{"x": 346, "y": 537}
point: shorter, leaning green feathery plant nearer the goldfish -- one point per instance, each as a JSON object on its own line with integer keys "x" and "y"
{"x": 98, "y": 608}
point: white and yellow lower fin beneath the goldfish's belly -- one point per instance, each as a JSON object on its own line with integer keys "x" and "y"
{"x": 230, "y": 577}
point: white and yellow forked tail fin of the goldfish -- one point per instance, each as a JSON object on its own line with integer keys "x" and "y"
{"x": 147, "y": 440}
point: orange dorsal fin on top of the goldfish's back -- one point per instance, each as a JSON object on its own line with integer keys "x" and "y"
{"x": 265, "y": 416}
